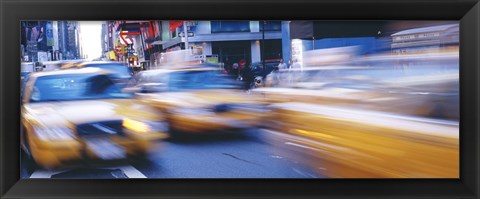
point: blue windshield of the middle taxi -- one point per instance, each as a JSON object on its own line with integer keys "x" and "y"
{"x": 200, "y": 80}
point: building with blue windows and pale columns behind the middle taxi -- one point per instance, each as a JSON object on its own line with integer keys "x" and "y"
{"x": 227, "y": 41}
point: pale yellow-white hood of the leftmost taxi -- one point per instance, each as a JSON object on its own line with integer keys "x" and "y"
{"x": 84, "y": 111}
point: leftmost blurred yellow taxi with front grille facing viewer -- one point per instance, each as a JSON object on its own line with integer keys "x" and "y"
{"x": 69, "y": 115}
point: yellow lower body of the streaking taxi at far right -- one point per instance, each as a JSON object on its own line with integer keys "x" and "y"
{"x": 339, "y": 142}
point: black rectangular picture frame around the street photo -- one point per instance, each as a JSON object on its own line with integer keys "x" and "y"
{"x": 13, "y": 11}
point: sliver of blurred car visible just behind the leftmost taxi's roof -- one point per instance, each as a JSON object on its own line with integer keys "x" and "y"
{"x": 120, "y": 73}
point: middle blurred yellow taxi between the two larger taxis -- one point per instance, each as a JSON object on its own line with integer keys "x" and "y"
{"x": 199, "y": 99}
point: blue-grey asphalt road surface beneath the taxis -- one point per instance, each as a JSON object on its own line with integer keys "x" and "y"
{"x": 241, "y": 155}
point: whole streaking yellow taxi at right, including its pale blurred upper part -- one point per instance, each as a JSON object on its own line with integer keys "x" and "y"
{"x": 364, "y": 122}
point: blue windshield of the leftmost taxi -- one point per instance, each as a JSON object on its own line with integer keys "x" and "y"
{"x": 75, "y": 87}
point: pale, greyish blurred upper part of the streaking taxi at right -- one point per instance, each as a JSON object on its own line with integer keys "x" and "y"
{"x": 434, "y": 95}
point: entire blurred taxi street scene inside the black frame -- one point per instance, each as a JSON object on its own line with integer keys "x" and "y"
{"x": 107, "y": 99}
